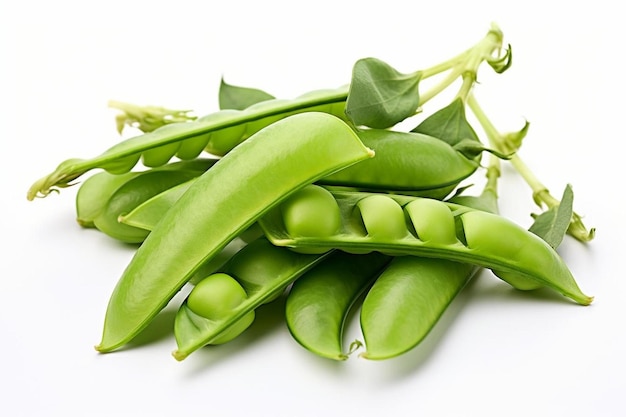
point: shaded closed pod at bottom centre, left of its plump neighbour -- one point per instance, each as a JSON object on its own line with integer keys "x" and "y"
{"x": 319, "y": 302}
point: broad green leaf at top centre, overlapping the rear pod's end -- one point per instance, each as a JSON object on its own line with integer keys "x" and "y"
{"x": 380, "y": 96}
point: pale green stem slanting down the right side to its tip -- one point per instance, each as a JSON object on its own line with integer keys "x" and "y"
{"x": 510, "y": 143}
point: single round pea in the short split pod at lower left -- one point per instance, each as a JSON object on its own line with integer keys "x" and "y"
{"x": 214, "y": 298}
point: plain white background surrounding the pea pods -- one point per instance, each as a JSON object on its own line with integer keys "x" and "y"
{"x": 495, "y": 352}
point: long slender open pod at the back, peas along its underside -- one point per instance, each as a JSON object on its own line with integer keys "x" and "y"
{"x": 217, "y": 133}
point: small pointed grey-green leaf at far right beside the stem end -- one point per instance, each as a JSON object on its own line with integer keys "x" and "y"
{"x": 552, "y": 224}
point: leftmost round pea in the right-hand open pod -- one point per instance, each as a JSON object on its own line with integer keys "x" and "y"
{"x": 311, "y": 211}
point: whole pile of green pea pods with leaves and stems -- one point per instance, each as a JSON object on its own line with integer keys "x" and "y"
{"x": 319, "y": 199}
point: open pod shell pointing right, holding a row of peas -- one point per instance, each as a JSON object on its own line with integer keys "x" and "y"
{"x": 482, "y": 239}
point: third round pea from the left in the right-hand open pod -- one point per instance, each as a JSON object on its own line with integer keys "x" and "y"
{"x": 433, "y": 221}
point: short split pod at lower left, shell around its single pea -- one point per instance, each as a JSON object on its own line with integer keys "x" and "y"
{"x": 263, "y": 271}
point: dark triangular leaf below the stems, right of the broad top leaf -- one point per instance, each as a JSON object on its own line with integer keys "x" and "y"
{"x": 449, "y": 124}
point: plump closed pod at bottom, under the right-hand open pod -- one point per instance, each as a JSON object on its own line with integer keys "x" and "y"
{"x": 406, "y": 301}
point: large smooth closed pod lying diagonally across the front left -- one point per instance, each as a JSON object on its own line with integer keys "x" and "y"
{"x": 221, "y": 204}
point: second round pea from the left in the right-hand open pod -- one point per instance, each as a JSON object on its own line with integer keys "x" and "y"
{"x": 382, "y": 217}
